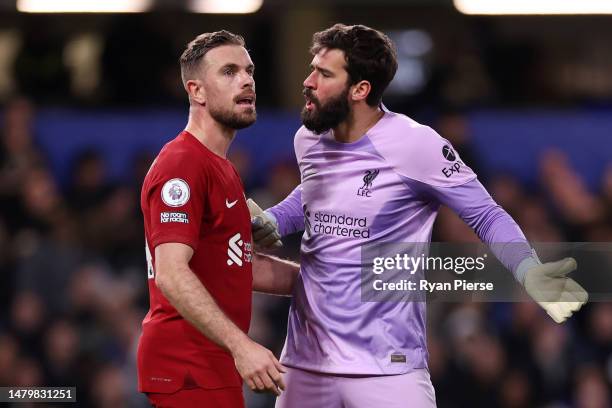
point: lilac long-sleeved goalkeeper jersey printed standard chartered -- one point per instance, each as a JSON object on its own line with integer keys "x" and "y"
{"x": 384, "y": 188}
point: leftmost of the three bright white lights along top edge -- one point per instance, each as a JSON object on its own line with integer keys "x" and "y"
{"x": 83, "y": 6}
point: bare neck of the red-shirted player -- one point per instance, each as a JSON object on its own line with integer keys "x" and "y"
{"x": 212, "y": 134}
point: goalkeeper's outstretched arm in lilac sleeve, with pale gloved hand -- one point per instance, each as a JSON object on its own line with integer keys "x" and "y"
{"x": 438, "y": 173}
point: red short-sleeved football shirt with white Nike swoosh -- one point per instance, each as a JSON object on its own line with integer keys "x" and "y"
{"x": 192, "y": 196}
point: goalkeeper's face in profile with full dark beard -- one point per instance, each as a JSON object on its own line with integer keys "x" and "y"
{"x": 326, "y": 91}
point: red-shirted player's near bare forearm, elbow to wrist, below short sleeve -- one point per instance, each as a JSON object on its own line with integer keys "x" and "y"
{"x": 193, "y": 301}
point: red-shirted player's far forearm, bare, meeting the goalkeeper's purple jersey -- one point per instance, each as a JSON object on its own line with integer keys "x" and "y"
{"x": 273, "y": 275}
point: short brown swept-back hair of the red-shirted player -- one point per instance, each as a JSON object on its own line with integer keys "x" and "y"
{"x": 198, "y": 47}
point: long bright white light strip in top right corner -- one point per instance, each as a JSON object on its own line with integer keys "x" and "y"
{"x": 527, "y": 7}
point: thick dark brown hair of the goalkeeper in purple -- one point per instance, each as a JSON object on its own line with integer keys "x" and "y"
{"x": 370, "y": 55}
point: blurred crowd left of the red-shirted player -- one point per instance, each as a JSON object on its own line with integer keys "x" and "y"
{"x": 71, "y": 263}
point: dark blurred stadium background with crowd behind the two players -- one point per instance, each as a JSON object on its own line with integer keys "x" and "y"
{"x": 88, "y": 99}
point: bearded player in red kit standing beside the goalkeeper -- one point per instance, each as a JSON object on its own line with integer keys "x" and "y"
{"x": 194, "y": 350}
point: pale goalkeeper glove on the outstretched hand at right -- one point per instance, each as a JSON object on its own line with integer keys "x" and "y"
{"x": 550, "y": 287}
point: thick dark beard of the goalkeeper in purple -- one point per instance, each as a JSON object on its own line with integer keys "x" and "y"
{"x": 327, "y": 116}
